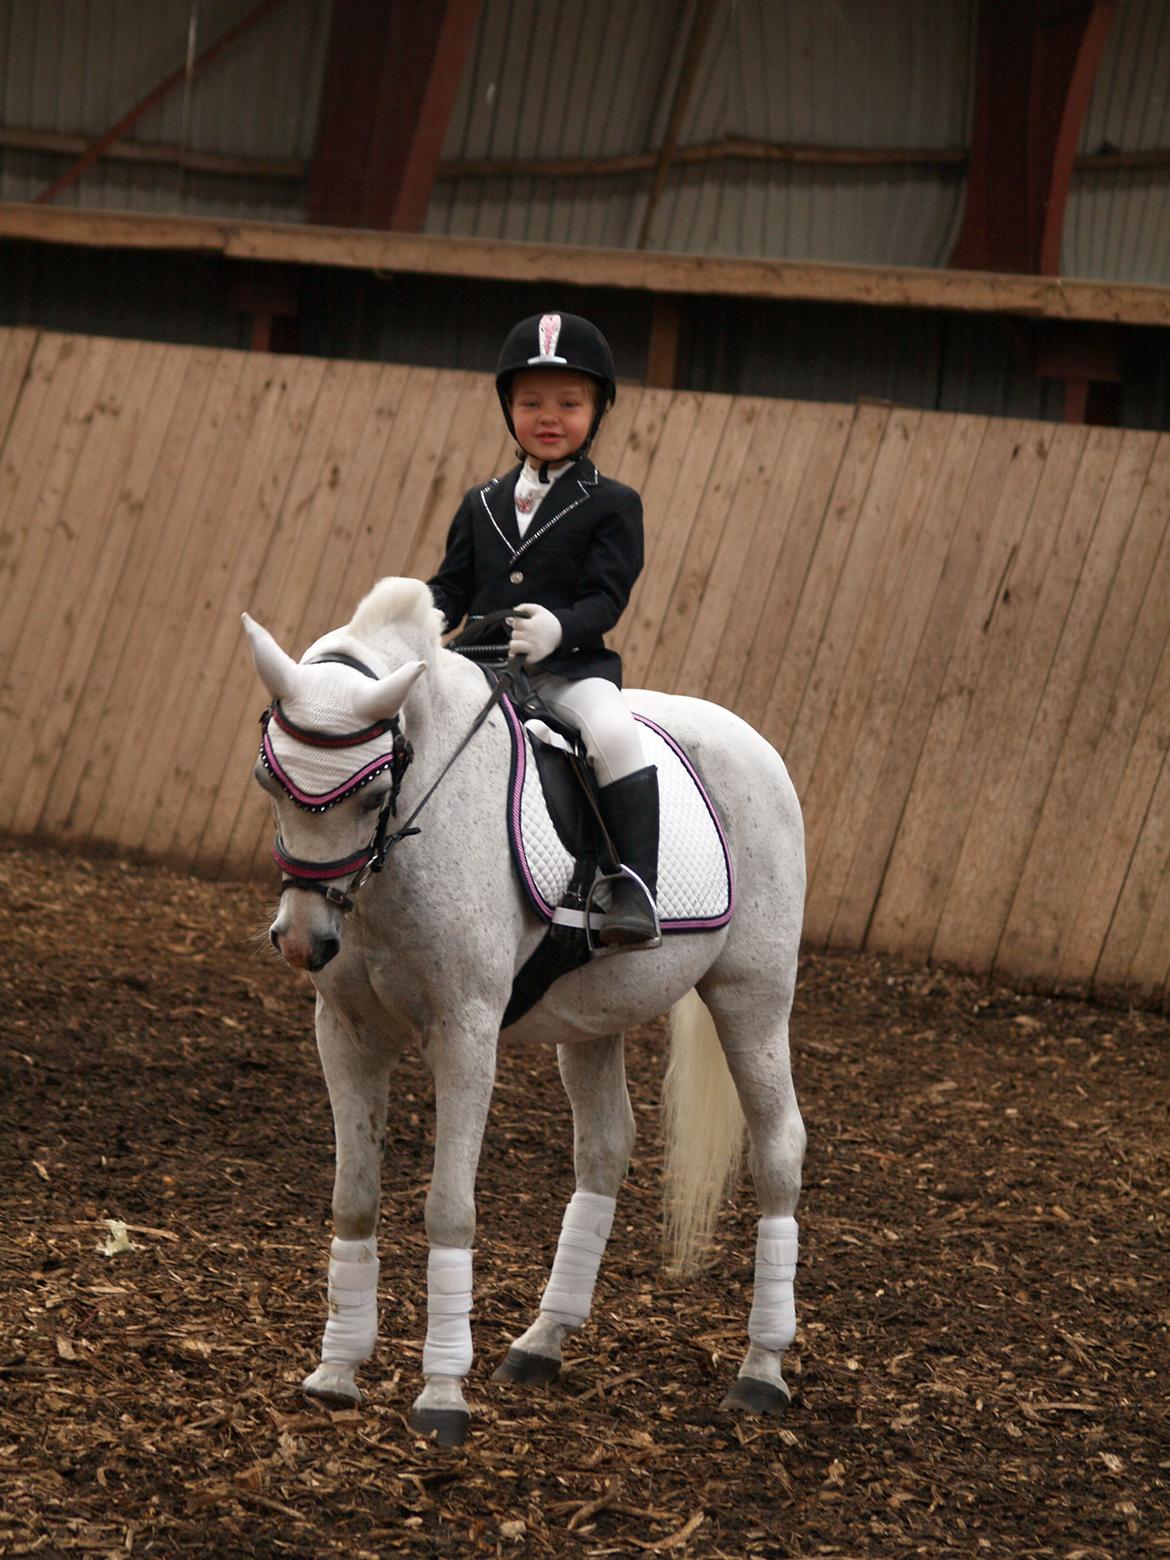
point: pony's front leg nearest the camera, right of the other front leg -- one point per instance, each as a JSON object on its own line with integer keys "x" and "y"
{"x": 464, "y": 1066}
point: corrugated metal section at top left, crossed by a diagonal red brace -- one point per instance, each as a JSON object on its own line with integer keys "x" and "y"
{"x": 74, "y": 68}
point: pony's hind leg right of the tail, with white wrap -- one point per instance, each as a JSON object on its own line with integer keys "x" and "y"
{"x": 756, "y": 1048}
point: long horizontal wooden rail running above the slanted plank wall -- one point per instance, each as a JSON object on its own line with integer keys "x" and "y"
{"x": 979, "y": 292}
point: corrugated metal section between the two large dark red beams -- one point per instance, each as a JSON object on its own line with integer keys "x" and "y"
{"x": 561, "y": 80}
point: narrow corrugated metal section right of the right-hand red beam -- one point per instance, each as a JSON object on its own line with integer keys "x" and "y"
{"x": 1118, "y": 222}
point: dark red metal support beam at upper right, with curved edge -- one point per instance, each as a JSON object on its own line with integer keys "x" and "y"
{"x": 1037, "y": 63}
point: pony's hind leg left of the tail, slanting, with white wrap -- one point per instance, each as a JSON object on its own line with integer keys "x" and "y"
{"x": 594, "y": 1074}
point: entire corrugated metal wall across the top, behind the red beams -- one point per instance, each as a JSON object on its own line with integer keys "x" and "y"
{"x": 556, "y": 79}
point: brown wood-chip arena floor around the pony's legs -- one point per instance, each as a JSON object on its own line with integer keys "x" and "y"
{"x": 985, "y": 1313}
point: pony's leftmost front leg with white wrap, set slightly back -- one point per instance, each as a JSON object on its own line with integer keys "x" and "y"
{"x": 358, "y": 1076}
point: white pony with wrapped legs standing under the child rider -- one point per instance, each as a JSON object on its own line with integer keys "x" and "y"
{"x": 430, "y": 948}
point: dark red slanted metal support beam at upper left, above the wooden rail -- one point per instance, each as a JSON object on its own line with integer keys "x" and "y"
{"x": 391, "y": 85}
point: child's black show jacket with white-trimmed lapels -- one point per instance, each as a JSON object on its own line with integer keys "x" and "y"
{"x": 580, "y": 558}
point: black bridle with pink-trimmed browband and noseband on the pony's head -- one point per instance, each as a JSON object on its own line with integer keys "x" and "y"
{"x": 319, "y": 877}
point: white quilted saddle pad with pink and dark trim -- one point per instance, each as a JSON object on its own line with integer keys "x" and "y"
{"x": 697, "y": 890}
